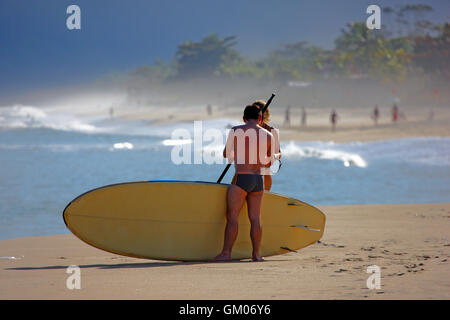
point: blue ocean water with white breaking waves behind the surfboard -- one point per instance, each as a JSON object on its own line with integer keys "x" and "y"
{"x": 49, "y": 157}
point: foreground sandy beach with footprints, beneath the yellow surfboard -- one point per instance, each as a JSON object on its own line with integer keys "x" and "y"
{"x": 410, "y": 244}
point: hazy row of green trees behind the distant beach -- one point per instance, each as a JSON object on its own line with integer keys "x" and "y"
{"x": 407, "y": 44}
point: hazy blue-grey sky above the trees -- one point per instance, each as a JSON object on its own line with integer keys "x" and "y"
{"x": 37, "y": 50}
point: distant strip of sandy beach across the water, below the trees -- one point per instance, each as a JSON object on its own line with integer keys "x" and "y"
{"x": 354, "y": 124}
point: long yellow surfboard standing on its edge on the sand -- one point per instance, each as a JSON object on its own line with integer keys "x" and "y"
{"x": 185, "y": 221}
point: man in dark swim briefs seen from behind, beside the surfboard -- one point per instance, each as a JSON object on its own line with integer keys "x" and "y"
{"x": 241, "y": 148}
